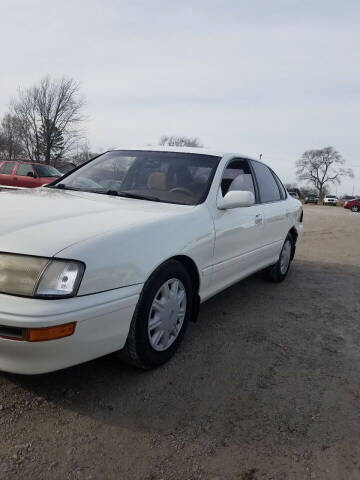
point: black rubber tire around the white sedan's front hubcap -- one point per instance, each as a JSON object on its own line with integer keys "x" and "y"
{"x": 138, "y": 350}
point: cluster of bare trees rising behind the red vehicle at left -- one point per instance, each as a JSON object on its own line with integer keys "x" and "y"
{"x": 43, "y": 122}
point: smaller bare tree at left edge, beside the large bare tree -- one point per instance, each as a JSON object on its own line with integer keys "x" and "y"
{"x": 10, "y": 141}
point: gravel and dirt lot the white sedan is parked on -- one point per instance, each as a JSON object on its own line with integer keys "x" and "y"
{"x": 265, "y": 386}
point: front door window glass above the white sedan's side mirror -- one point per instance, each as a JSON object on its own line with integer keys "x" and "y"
{"x": 237, "y": 176}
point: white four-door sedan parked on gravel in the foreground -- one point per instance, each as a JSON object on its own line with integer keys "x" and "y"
{"x": 118, "y": 255}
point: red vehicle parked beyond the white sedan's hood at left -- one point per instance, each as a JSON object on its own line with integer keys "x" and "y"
{"x": 26, "y": 174}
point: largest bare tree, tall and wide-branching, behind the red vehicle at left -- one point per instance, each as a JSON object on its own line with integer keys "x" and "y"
{"x": 49, "y": 115}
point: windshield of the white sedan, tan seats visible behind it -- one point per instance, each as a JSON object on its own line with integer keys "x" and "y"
{"x": 170, "y": 177}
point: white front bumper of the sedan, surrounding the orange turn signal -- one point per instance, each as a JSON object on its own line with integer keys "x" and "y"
{"x": 102, "y": 325}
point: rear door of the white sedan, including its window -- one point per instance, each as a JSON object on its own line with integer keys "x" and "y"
{"x": 277, "y": 215}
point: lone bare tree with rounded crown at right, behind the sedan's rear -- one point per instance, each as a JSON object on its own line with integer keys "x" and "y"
{"x": 320, "y": 168}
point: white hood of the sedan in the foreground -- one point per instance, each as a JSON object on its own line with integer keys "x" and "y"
{"x": 45, "y": 221}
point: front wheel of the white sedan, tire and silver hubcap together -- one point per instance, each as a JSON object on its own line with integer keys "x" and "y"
{"x": 160, "y": 318}
